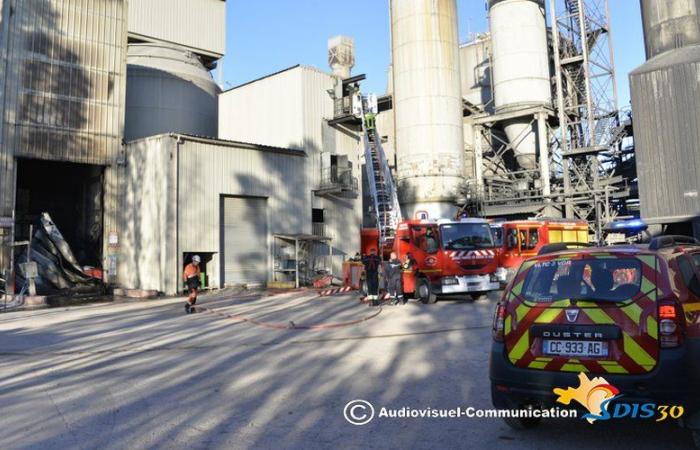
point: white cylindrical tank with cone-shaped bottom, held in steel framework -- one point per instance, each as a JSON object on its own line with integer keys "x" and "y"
{"x": 521, "y": 74}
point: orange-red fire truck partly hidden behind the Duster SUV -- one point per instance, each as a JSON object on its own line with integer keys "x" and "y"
{"x": 521, "y": 239}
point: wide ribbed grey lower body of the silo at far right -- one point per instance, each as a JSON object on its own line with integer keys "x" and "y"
{"x": 666, "y": 106}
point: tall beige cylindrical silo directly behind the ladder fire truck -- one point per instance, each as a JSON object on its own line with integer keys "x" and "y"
{"x": 427, "y": 105}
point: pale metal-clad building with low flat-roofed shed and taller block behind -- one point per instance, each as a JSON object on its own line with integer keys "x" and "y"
{"x": 241, "y": 205}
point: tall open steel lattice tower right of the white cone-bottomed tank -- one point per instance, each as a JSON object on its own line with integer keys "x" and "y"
{"x": 587, "y": 106}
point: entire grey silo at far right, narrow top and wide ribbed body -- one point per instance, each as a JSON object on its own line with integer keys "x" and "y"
{"x": 665, "y": 104}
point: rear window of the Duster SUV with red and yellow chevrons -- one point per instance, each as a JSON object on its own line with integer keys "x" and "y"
{"x": 609, "y": 279}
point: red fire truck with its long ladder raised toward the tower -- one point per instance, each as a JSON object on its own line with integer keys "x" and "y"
{"x": 450, "y": 257}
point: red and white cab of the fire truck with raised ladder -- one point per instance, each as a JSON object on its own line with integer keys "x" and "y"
{"x": 450, "y": 257}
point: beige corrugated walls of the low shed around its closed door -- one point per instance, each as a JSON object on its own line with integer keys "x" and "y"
{"x": 169, "y": 203}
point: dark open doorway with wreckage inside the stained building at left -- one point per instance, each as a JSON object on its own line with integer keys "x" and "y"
{"x": 72, "y": 195}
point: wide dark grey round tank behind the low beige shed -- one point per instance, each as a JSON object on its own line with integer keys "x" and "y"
{"x": 168, "y": 90}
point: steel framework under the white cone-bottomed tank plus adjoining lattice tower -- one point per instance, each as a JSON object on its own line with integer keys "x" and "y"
{"x": 583, "y": 166}
